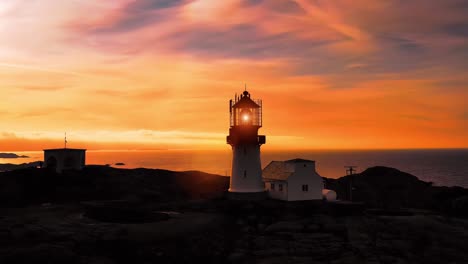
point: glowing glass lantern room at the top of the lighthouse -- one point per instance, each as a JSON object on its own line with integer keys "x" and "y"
{"x": 245, "y": 111}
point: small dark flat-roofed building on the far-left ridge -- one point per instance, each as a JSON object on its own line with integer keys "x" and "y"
{"x": 64, "y": 159}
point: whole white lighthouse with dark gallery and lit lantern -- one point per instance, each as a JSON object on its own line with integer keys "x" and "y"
{"x": 245, "y": 121}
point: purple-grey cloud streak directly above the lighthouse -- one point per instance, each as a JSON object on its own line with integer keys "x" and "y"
{"x": 244, "y": 41}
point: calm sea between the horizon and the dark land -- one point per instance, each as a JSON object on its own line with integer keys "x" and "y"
{"x": 442, "y": 167}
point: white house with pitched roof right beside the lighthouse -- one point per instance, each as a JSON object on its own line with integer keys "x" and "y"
{"x": 293, "y": 180}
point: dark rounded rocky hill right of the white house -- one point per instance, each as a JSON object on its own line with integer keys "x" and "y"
{"x": 389, "y": 188}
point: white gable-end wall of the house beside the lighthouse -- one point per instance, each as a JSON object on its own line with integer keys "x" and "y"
{"x": 305, "y": 174}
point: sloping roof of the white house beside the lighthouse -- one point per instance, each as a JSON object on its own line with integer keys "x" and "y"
{"x": 281, "y": 170}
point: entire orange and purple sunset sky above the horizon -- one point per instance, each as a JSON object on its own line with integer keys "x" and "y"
{"x": 158, "y": 74}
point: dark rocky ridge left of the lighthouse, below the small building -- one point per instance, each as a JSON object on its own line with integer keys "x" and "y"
{"x": 35, "y": 186}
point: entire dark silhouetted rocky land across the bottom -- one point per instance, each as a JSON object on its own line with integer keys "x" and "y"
{"x": 109, "y": 215}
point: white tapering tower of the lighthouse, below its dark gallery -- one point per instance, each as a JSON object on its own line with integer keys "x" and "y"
{"x": 246, "y": 159}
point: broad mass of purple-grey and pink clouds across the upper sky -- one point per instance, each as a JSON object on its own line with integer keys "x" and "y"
{"x": 322, "y": 37}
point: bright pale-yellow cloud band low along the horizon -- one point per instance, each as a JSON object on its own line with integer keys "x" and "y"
{"x": 125, "y": 139}
